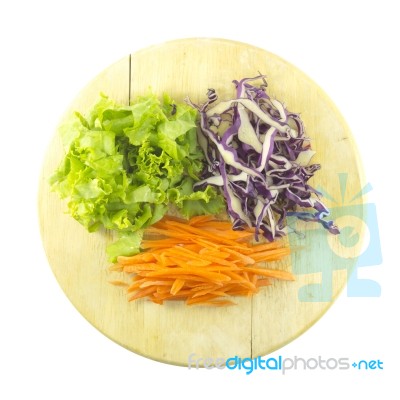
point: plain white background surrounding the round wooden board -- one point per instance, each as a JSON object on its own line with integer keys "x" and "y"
{"x": 49, "y": 51}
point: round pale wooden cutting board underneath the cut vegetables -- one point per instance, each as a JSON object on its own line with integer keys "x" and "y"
{"x": 277, "y": 314}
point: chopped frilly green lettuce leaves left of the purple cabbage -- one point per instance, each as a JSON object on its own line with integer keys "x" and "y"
{"x": 126, "y": 165}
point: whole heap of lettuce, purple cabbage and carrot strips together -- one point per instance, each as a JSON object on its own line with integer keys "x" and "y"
{"x": 126, "y": 166}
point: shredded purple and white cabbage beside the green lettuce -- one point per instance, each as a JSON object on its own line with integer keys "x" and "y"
{"x": 258, "y": 155}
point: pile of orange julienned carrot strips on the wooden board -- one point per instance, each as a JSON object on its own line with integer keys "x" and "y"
{"x": 202, "y": 261}
